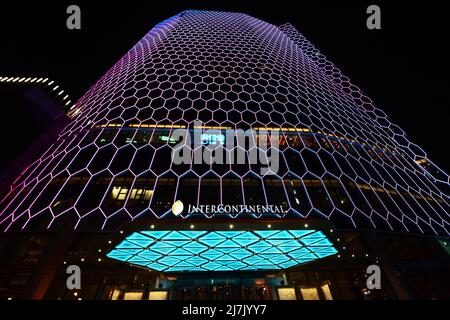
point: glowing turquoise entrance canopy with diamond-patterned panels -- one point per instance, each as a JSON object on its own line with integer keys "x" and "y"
{"x": 176, "y": 251}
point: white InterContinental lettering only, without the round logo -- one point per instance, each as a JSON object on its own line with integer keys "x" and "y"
{"x": 240, "y": 208}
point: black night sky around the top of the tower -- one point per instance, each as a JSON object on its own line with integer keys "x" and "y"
{"x": 404, "y": 67}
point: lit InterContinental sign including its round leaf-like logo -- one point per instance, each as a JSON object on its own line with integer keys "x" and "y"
{"x": 178, "y": 207}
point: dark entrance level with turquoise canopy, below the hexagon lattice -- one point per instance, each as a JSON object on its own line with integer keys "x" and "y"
{"x": 34, "y": 265}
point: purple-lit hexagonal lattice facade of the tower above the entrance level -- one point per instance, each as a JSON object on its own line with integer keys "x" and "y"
{"x": 341, "y": 160}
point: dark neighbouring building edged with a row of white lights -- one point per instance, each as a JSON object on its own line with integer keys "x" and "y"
{"x": 37, "y": 106}
